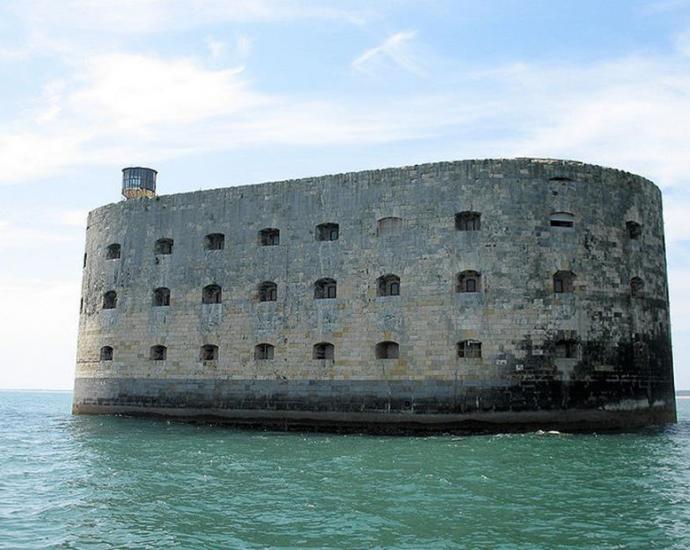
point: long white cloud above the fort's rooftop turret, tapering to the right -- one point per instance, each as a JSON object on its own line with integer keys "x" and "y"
{"x": 145, "y": 107}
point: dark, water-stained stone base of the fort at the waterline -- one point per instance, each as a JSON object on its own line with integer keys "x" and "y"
{"x": 380, "y": 406}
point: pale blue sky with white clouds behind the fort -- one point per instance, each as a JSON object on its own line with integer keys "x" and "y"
{"x": 218, "y": 93}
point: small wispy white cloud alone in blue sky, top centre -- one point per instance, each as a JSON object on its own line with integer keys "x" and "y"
{"x": 394, "y": 51}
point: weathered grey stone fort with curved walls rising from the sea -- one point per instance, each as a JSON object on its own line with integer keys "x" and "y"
{"x": 483, "y": 294}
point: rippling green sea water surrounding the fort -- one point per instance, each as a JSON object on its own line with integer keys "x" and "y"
{"x": 114, "y": 482}
